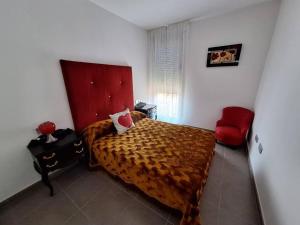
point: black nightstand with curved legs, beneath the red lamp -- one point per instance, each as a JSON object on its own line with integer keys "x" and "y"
{"x": 49, "y": 157}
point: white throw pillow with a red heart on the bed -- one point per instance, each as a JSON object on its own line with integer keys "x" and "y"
{"x": 122, "y": 121}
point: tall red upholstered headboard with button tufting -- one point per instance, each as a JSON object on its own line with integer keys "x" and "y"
{"x": 96, "y": 90}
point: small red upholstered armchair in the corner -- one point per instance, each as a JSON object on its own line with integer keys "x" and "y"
{"x": 232, "y": 128}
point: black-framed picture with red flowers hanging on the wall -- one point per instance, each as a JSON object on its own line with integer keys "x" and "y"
{"x": 228, "y": 55}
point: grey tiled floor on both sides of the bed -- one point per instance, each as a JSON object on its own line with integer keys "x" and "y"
{"x": 95, "y": 198}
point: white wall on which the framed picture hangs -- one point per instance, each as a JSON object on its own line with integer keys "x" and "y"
{"x": 208, "y": 90}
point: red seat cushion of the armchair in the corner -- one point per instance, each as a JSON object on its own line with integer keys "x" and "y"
{"x": 229, "y": 135}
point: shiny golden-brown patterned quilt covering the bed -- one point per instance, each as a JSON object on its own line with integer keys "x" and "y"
{"x": 168, "y": 162}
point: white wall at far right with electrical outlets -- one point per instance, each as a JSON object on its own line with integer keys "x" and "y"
{"x": 277, "y": 123}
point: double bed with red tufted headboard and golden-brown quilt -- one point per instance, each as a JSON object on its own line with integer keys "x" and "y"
{"x": 167, "y": 162}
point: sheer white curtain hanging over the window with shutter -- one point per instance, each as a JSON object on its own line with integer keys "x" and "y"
{"x": 166, "y": 55}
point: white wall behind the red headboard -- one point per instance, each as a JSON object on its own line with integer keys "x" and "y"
{"x": 34, "y": 36}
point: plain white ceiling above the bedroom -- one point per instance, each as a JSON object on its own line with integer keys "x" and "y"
{"x": 150, "y": 14}
